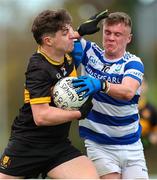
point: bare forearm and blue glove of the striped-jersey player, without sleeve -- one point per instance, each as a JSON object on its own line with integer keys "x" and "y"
{"x": 124, "y": 91}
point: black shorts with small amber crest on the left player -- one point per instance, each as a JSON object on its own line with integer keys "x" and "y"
{"x": 28, "y": 160}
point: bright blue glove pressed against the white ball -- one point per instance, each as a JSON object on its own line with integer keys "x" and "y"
{"x": 87, "y": 85}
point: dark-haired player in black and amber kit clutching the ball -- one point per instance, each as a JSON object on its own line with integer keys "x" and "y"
{"x": 39, "y": 141}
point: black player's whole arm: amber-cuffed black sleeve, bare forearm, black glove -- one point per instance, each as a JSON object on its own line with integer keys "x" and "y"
{"x": 38, "y": 87}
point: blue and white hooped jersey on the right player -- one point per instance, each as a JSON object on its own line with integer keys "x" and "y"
{"x": 111, "y": 121}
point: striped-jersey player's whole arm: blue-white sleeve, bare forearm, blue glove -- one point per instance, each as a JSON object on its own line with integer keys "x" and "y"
{"x": 126, "y": 90}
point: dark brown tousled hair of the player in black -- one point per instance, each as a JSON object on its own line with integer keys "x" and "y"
{"x": 49, "y": 21}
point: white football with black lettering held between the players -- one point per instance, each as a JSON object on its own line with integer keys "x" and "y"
{"x": 65, "y": 96}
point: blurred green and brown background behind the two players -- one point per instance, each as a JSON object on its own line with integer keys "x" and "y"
{"x": 17, "y": 45}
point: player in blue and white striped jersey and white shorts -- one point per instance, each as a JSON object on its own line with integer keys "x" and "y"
{"x": 113, "y": 77}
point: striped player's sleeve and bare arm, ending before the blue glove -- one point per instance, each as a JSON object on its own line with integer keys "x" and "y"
{"x": 132, "y": 79}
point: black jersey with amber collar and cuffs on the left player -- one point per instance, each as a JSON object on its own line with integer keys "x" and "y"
{"x": 41, "y": 75}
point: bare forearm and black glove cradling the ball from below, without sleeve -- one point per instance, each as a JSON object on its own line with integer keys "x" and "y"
{"x": 45, "y": 115}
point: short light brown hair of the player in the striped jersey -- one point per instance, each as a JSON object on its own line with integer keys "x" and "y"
{"x": 118, "y": 17}
